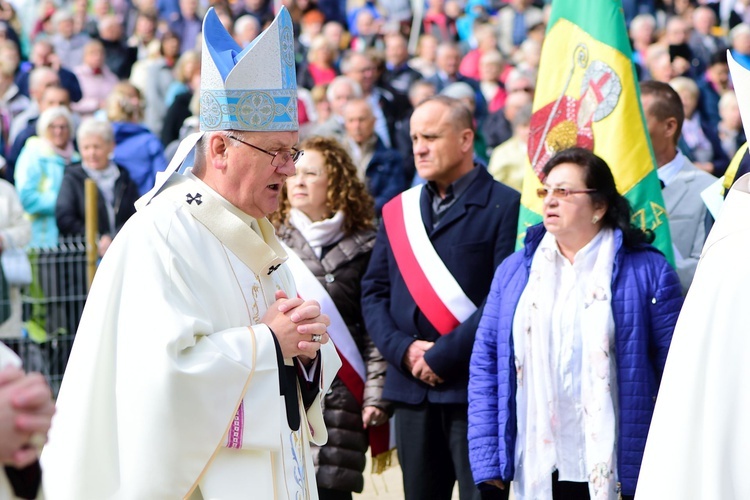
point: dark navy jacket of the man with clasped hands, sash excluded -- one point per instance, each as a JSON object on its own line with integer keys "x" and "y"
{"x": 475, "y": 235}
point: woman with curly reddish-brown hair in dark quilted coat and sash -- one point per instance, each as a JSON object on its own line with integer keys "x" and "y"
{"x": 326, "y": 219}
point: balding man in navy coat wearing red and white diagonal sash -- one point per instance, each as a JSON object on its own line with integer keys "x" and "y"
{"x": 429, "y": 275}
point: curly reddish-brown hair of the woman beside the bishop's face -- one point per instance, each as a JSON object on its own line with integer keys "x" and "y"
{"x": 346, "y": 192}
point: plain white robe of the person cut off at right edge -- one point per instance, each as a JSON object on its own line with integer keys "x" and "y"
{"x": 697, "y": 445}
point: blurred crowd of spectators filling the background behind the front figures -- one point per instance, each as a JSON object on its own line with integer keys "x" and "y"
{"x": 361, "y": 67}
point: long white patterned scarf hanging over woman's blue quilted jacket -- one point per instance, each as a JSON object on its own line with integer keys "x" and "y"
{"x": 536, "y": 398}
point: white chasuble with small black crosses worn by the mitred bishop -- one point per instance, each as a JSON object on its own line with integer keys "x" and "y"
{"x": 168, "y": 350}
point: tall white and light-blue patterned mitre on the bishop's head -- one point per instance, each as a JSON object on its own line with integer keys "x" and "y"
{"x": 252, "y": 89}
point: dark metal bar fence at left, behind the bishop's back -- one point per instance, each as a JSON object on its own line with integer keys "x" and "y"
{"x": 51, "y": 308}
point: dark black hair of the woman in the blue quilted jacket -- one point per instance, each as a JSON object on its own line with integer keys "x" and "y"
{"x": 597, "y": 175}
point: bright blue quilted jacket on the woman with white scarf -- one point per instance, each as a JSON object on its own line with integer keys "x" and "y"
{"x": 646, "y": 300}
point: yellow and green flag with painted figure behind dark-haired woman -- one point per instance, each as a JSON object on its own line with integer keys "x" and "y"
{"x": 587, "y": 96}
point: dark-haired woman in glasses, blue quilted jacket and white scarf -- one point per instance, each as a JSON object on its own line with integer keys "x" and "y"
{"x": 571, "y": 345}
